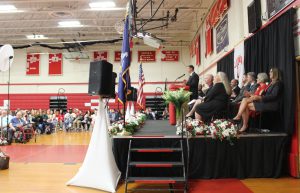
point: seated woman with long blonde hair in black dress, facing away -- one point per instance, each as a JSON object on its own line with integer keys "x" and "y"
{"x": 216, "y": 100}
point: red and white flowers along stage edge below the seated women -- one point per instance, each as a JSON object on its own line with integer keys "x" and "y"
{"x": 220, "y": 129}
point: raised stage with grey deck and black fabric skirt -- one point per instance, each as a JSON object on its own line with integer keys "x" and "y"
{"x": 251, "y": 156}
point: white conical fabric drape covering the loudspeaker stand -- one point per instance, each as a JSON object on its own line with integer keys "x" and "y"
{"x": 99, "y": 169}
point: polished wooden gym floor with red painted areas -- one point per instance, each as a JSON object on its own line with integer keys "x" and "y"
{"x": 45, "y": 167}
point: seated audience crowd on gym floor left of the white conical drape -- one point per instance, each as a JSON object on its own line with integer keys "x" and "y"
{"x": 42, "y": 121}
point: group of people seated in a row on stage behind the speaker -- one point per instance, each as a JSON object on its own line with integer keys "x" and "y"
{"x": 254, "y": 95}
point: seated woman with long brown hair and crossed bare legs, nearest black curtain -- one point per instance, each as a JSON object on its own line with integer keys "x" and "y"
{"x": 267, "y": 102}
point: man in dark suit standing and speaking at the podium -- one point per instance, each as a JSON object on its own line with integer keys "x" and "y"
{"x": 192, "y": 82}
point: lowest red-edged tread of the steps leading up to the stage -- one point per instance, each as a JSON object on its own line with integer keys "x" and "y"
{"x": 156, "y": 180}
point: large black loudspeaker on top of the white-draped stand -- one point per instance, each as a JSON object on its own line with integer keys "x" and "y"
{"x": 101, "y": 81}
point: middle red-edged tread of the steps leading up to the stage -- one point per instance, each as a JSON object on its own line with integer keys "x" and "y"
{"x": 155, "y": 164}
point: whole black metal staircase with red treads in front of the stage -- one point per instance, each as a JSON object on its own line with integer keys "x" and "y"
{"x": 137, "y": 162}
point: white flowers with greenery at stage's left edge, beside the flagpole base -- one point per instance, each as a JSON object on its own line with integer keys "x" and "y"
{"x": 131, "y": 125}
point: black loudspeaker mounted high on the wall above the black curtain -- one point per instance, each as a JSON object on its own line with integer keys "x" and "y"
{"x": 254, "y": 16}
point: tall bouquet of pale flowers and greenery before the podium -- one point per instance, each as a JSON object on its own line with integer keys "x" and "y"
{"x": 178, "y": 98}
